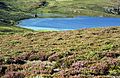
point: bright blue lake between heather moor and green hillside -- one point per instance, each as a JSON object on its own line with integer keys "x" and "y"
{"x": 61, "y": 24}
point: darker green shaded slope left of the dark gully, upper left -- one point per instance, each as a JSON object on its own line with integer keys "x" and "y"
{"x": 17, "y": 10}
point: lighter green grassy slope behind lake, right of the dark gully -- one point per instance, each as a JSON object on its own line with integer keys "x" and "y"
{"x": 78, "y": 7}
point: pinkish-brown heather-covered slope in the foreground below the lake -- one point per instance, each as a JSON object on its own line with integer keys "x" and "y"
{"x": 94, "y": 52}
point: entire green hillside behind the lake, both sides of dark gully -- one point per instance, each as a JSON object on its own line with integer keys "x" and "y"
{"x": 21, "y": 9}
